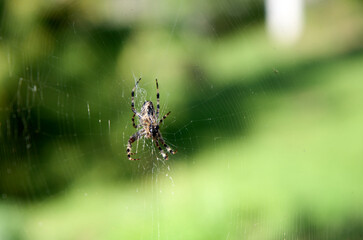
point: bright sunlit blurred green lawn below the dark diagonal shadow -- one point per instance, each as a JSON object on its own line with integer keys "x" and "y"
{"x": 299, "y": 171}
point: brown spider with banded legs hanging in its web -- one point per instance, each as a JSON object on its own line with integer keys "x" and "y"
{"x": 148, "y": 120}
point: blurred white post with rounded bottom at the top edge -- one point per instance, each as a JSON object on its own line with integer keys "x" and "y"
{"x": 285, "y": 20}
